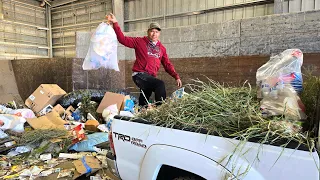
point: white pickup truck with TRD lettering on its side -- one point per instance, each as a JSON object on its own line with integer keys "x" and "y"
{"x": 142, "y": 151}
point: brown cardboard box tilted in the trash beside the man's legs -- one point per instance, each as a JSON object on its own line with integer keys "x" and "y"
{"x": 110, "y": 99}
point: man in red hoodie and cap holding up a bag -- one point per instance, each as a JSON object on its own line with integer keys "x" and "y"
{"x": 149, "y": 54}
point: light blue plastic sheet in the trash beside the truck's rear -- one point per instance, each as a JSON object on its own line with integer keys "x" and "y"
{"x": 88, "y": 144}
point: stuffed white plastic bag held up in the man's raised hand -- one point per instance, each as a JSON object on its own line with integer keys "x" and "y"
{"x": 103, "y": 49}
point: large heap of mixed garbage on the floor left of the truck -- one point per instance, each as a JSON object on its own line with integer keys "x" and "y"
{"x": 37, "y": 139}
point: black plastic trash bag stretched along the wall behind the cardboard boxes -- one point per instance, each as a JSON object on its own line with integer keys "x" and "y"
{"x": 73, "y": 98}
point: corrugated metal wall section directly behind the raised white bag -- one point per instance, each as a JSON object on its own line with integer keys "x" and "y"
{"x": 79, "y": 16}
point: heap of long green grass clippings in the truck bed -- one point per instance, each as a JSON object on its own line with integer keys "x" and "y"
{"x": 226, "y": 111}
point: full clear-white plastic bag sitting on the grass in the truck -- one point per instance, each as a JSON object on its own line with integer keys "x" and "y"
{"x": 279, "y": 82}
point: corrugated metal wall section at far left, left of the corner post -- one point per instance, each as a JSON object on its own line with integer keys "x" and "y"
{"x": 23, "y": 30}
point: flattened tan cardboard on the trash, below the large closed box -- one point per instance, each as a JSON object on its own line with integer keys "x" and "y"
{"x": 50, "y": 121}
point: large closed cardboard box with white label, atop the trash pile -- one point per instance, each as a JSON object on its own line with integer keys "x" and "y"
{"x": 44, "y": 95}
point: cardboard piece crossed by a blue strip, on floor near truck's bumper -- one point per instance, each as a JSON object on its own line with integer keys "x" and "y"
{"x": 91, "y": 161}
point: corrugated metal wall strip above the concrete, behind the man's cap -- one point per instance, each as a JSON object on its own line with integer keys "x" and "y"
{"x": 173, "y": 13}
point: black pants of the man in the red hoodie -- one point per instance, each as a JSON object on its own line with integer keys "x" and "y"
{"x": 149, "y": 84}
